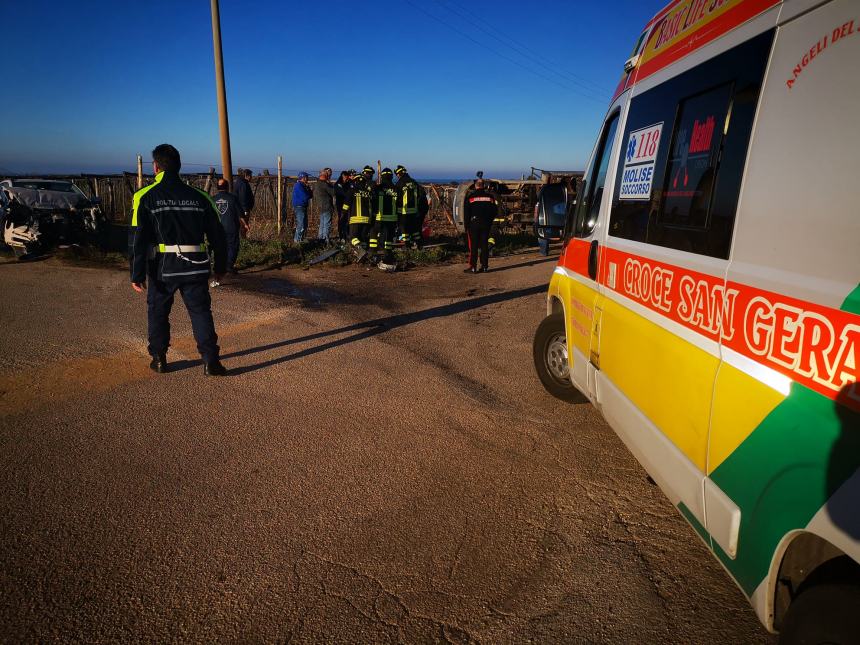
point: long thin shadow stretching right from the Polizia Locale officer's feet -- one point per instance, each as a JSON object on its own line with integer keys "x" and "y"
{"x": 370, "y": 328}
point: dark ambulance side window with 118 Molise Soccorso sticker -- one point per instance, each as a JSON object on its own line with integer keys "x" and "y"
{"x": 686, "y": 144}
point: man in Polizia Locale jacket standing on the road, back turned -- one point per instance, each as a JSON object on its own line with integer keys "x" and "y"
{"x": 169, "y": 222}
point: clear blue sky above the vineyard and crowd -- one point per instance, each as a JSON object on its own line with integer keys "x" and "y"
{"x": 444, "y": 87}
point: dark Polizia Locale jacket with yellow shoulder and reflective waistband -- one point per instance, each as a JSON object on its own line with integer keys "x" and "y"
{"x": 171, "y": 223}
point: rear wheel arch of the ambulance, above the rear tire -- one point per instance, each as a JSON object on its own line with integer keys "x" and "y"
{"x": 809, "y": 561}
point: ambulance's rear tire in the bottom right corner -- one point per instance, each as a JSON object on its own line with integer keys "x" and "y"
{"x": 825, "y": 613}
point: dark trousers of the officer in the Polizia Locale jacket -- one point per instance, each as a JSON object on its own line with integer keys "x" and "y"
{"x": 159, "y": 300}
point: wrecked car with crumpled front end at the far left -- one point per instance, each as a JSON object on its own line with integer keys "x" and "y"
{"x": 42, "y": 214}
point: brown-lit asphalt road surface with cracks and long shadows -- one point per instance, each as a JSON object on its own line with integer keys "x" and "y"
{"x": 382, "y": 465}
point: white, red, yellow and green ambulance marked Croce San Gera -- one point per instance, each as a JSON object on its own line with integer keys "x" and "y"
{"x": 706, "y": 299}
